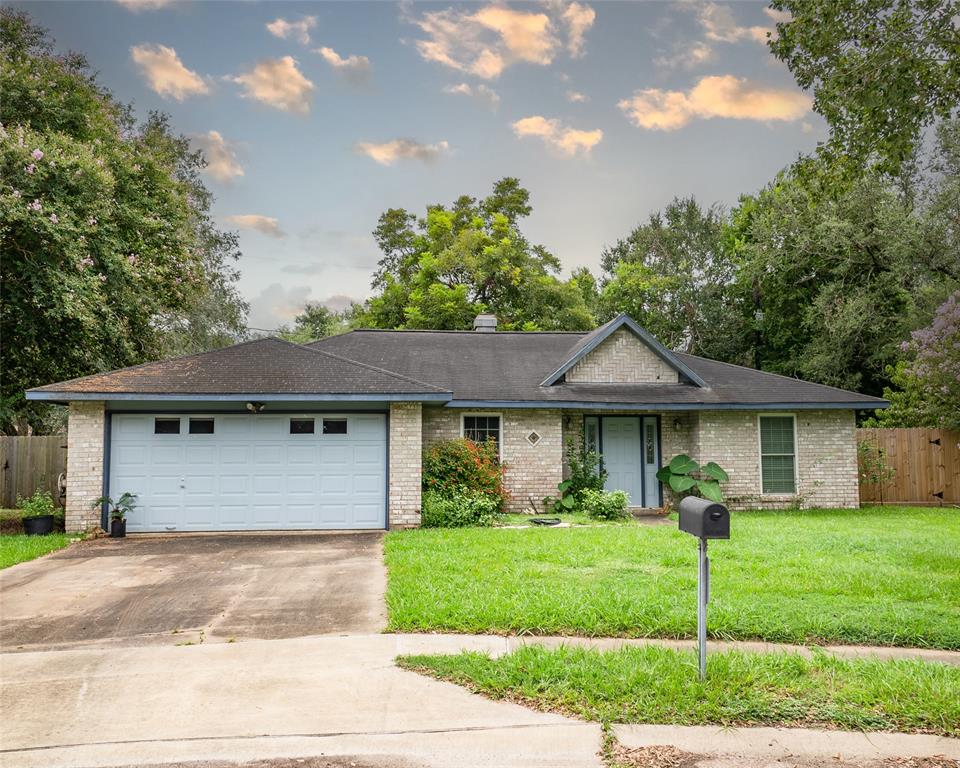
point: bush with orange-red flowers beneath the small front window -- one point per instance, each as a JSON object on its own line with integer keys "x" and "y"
{"x": 463, "y": 466}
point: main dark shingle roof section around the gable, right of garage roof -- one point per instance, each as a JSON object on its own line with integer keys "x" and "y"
{"x": 509, "y": 366}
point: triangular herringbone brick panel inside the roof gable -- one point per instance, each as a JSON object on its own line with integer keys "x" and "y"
{"x": 622, "y": 358}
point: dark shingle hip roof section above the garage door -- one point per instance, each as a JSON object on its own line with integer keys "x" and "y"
{"x": 264, "y": 366}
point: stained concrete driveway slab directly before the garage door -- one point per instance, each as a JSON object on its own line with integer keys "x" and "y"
{"x": 191, "y": 589}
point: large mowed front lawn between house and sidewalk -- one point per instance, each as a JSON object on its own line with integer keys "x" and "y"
{"x": 883, "y": 575}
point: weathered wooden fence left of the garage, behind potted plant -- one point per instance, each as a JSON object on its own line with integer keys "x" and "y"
{"x": 29, "y": 463}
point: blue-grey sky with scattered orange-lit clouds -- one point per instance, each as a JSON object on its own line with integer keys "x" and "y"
{"x": 316, "y": 117}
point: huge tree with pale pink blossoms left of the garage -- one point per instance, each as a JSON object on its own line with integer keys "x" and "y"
{"x": 110, "y": 257}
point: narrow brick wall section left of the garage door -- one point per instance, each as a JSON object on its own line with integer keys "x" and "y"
{"x": 85, "y": 434}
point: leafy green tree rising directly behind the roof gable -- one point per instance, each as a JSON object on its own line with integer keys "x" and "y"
{"x": 673, "y": 275}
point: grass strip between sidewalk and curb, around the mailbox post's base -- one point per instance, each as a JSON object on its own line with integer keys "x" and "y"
{"x": 659, "y": 685}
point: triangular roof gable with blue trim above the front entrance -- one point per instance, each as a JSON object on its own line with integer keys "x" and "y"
{"x": 634, "y": 362}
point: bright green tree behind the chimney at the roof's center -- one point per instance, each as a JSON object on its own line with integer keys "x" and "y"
{"x": 441, "y": 270}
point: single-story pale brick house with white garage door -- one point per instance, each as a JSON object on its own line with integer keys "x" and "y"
{"x": 268, "y": 435}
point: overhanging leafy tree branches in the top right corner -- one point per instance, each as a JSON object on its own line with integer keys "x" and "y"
{"x": 881, "y": 70}
